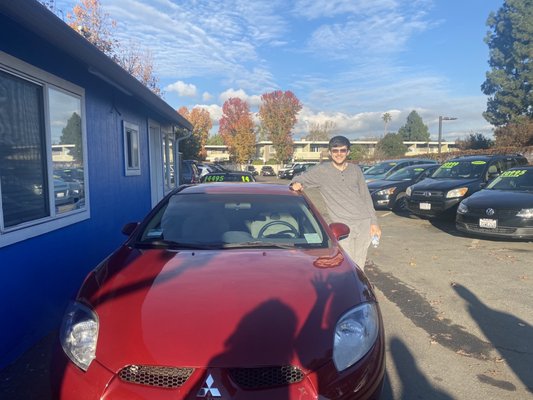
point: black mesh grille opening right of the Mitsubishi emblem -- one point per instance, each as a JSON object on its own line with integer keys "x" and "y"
{"x": 257, "y": 378}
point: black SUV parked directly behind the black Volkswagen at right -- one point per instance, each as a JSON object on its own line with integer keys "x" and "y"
{"x": 455, "y": 180}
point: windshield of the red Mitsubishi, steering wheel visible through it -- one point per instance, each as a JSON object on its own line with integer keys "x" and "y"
{"x": 229, "y": 221}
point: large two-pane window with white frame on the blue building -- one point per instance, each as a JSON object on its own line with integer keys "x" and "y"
{"x": 41, "y": 188}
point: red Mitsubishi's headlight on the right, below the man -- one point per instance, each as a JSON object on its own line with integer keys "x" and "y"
{"x": 355, "y": 334}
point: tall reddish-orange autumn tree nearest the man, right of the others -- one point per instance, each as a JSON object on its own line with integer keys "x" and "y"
{"x": 278, "y": 116}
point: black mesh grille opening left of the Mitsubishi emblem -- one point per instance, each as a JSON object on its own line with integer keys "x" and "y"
{"x": 165, "y": 377}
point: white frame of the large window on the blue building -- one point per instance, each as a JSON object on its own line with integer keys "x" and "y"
{"x": 54, "y": 221}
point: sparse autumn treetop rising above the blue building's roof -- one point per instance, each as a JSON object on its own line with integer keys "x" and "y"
{"x": 88, "y": 19}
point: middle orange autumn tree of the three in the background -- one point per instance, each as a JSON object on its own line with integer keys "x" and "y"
{"x": 237, "y": 129}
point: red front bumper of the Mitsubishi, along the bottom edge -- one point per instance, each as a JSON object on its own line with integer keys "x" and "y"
{"x": 363, "y": 381}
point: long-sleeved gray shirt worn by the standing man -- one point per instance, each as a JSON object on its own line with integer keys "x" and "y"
{"x": 345, "y": 192}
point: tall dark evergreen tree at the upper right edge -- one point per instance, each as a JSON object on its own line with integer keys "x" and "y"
{"x": 509, "y": 81}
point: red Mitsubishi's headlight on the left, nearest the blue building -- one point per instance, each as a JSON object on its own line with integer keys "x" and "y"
{"x": 79, "y": 333}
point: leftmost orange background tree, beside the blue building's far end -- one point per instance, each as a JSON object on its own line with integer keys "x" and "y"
{"x": 200, "y": 120}
